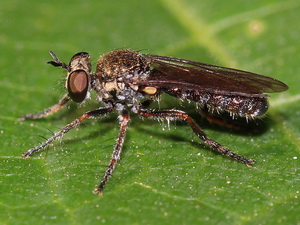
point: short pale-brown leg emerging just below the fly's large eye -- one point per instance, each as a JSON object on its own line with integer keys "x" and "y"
{"x": 49, "y": 111}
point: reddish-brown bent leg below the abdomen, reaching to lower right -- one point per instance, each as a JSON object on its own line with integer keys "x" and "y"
{"x": 170, "y": 115}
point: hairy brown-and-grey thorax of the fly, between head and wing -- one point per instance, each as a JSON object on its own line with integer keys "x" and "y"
{"x": 116, "y": 72}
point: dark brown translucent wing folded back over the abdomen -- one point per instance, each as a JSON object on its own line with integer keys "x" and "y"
{"x": 173, "y": 73}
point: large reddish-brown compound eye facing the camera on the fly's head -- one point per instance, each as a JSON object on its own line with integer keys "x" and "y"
{"x": 78, "y": 85}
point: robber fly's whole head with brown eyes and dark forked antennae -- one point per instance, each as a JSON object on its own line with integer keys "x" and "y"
{"x": 78, "y": 76}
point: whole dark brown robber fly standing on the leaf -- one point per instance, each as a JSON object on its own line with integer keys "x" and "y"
{"x": 126, "y": 80}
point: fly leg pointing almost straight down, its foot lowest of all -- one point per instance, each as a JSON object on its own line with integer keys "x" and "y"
{"x": 124, "y": 119}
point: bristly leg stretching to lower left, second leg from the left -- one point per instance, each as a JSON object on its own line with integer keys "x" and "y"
{"x": 67, "y": 128}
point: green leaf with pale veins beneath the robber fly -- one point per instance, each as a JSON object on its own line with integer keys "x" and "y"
{"x": 165, "y": 176}
